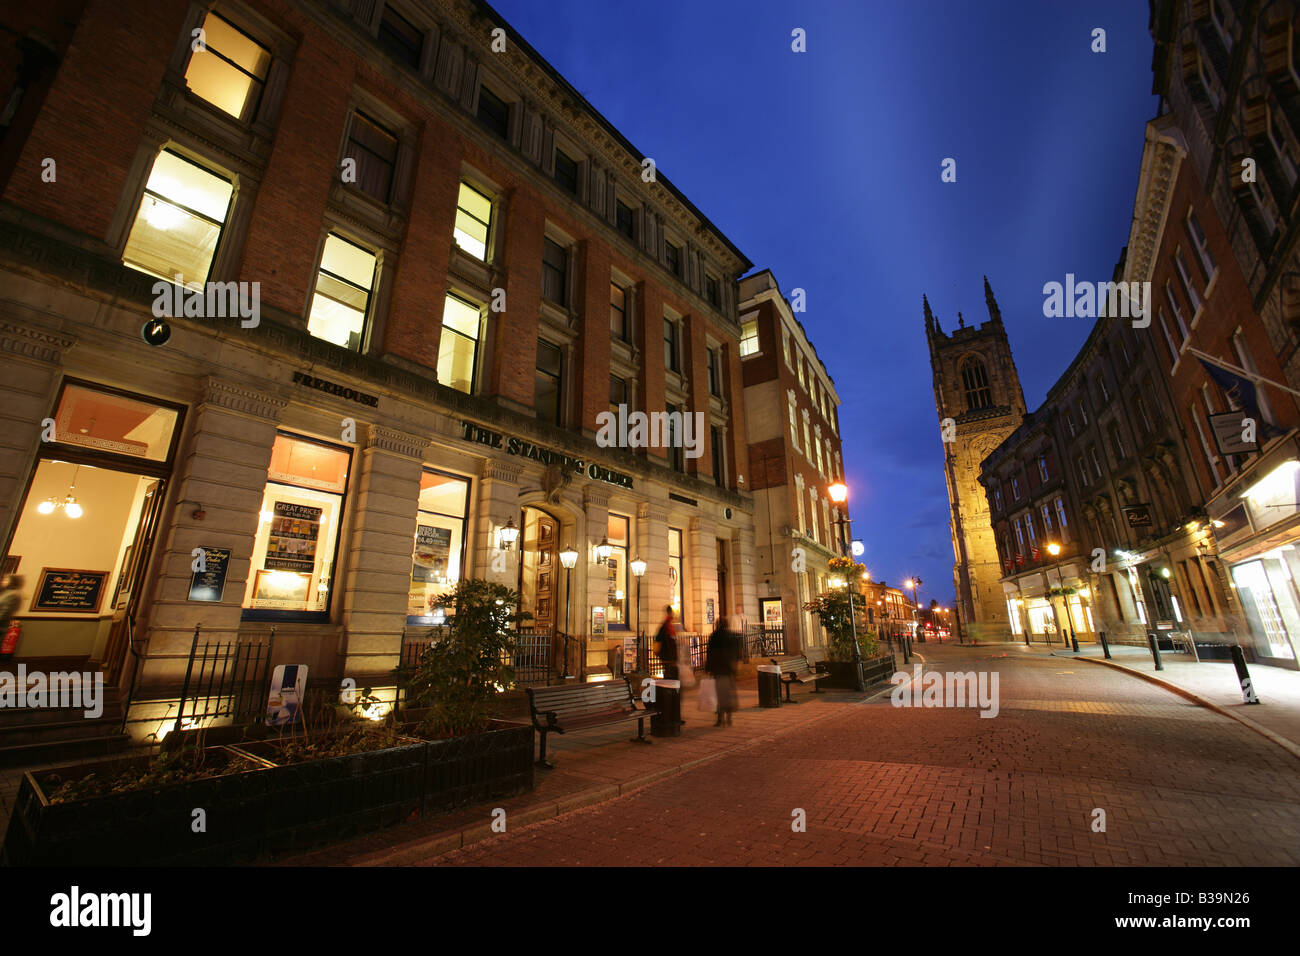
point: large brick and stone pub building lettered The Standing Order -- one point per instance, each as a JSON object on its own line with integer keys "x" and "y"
{"x": 458, "y": 269}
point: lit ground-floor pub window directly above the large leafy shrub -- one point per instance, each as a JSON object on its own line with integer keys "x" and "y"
{"x": 440, "y": 542}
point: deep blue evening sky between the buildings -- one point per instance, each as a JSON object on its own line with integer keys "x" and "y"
{"x": 825, "y": 167}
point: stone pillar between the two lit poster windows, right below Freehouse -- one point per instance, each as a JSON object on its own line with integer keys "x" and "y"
{"x": 379, "y": 553}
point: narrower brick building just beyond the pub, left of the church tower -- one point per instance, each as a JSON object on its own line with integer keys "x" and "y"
{"x": 795, "y": 457}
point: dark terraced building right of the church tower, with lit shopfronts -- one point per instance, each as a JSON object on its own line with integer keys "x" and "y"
{"x": 1099, "y": 470}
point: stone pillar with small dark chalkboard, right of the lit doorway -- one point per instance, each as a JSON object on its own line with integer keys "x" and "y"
{"x": 223, "y": 468}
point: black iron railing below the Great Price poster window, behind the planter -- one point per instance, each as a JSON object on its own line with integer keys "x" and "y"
{"x": 226, "y": 678}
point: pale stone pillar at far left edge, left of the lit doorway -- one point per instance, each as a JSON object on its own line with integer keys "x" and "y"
{"x": 32, "y": 362}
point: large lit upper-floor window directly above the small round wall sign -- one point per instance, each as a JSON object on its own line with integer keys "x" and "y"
{"x": 180, "y": 222}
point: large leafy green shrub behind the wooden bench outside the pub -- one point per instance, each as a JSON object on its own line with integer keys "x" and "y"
{"x": 458, "y": 680}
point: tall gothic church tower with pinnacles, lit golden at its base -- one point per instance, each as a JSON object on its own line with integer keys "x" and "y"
{"x": 980, "y": 403}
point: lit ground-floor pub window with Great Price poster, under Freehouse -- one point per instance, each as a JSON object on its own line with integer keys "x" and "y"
{"x": 293, "y": 559}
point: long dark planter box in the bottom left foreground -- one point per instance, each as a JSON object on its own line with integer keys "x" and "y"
{"x": 279, "y": 808}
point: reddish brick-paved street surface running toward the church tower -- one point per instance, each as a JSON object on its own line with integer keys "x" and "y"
{"x": 943, "y": 788}
